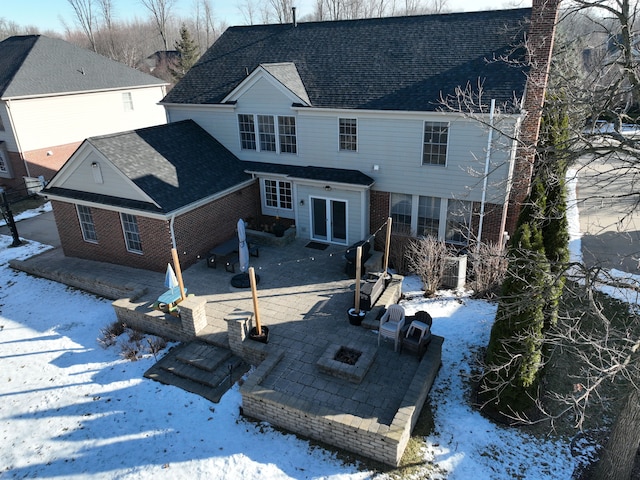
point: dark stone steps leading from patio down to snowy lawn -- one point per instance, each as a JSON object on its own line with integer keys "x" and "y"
{"x": 199, "y": 368}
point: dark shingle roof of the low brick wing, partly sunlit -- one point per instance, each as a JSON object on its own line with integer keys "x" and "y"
{"x": 175, "y": 164}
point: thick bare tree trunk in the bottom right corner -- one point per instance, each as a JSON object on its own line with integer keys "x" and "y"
{"x": 618, "y": 455}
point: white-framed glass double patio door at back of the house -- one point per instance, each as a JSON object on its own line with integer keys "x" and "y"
{"x": 329, "y": 220}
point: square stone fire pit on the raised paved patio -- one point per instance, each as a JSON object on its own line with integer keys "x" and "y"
{"x": 350, "y": 362}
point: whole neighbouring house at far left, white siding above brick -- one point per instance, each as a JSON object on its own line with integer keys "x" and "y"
{"x": 53, "y": 95}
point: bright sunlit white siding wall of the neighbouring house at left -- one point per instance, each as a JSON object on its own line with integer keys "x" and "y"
{"x": 49, "y": 121}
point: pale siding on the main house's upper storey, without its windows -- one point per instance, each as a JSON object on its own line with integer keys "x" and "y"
{"x": 391, "y": 141}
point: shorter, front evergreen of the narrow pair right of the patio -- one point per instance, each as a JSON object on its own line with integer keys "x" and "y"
{"x": 514, "y": 354}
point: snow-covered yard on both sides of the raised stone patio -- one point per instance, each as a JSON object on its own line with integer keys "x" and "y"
{"x": 71, "y": 409}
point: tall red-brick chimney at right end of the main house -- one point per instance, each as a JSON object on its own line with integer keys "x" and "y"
{"x": 539, "y": 45}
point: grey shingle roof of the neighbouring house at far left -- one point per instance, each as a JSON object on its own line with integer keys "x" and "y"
{"x": 35, "y": 65}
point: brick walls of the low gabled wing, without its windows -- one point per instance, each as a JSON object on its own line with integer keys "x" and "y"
{"x": 197, "y": 232}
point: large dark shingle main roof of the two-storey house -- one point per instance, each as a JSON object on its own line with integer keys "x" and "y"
{"x": 399, "y": 63}
